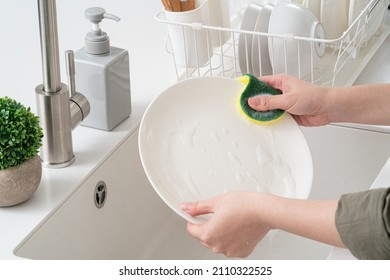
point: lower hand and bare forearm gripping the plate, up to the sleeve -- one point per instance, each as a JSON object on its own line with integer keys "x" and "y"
{"x": 240, "y": 220}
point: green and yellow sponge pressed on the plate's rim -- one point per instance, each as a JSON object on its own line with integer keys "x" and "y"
{"x": 256, "y": 87}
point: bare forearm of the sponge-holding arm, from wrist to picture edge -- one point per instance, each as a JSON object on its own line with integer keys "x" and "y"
{"x": 365, "y": 104}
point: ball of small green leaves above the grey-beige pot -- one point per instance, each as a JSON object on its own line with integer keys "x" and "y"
{"x": 20, "y": 133}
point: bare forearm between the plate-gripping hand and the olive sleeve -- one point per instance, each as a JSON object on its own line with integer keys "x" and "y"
{"x": 313, "y": 219}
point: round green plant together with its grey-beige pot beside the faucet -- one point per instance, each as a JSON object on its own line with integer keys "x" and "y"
{"x": 20, "y": 140}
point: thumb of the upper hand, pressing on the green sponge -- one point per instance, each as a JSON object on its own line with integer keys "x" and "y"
{"x": 267, "y": 102}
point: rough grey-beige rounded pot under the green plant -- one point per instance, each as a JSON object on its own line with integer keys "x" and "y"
{"x": 19, "y": 183}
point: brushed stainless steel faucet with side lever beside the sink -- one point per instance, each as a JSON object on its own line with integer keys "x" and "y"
{"x": 60, "y": 108}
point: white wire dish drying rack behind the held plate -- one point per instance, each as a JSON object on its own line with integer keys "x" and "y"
{"x": 340, "y": 65}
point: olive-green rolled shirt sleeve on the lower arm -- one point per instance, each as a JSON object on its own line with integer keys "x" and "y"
{"x": 363, "y": 222}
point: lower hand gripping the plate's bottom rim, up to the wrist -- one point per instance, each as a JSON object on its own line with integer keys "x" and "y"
{"x": 235, "y": 226}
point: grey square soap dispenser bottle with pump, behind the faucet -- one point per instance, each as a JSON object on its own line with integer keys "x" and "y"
{"x": 103, "y": 75}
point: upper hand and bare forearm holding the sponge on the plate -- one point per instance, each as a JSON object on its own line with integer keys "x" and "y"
{"x": 314, "y": 105}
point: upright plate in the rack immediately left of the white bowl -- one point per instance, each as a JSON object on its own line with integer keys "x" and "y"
{"x": 260, "y": 53}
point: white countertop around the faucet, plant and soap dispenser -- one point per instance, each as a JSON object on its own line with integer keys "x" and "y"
{"x": 151, "y": 71}
